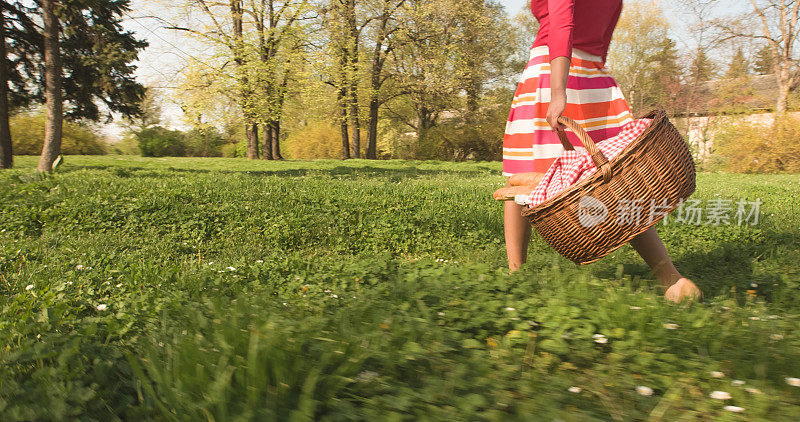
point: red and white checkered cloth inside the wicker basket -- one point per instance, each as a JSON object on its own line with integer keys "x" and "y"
{"x": 576, "y": 165}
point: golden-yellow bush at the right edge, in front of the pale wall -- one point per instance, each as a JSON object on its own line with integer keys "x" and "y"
{"x": 743, "y": 147}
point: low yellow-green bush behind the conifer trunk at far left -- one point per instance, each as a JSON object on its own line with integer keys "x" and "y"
{"x": 27, "y": 136}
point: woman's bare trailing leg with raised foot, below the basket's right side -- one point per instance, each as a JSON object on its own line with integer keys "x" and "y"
{"x": 652, "y": 250}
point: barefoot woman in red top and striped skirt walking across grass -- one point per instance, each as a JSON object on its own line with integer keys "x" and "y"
{"x": 566, "y": 75}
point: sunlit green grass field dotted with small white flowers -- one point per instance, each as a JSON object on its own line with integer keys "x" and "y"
{"x": 226, "y": 289}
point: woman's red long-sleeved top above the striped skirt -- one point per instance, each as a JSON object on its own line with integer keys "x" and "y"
{"x": 583, "y": 24}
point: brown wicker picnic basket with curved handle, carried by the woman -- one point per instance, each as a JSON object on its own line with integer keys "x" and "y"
{"x": 597, "y": 215}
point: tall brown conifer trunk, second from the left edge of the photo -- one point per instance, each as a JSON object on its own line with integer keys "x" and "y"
{"x": 52, "y": 64}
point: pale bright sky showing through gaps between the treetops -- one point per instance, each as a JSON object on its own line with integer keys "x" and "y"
{"x": 159, "y": 65}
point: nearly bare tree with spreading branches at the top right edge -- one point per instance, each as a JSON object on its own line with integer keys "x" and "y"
{"x": 778, "y": 26}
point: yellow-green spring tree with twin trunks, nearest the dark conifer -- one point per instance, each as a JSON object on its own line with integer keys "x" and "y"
{"x": 261, "y": 59}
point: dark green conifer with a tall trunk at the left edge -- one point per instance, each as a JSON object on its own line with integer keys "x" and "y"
{"x": 72, "y": 56}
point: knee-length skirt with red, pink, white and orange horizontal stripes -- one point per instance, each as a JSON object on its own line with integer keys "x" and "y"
{"x": 593, "y": 100}
